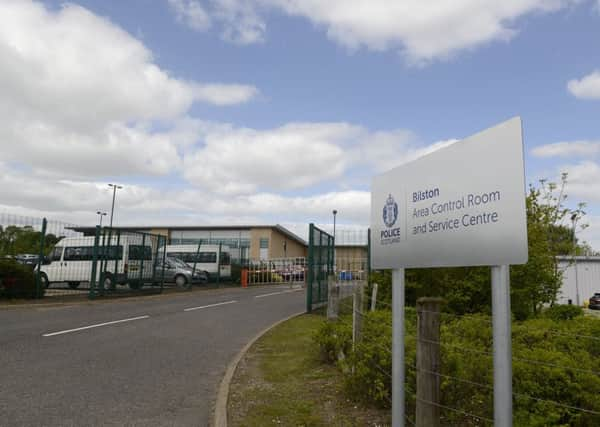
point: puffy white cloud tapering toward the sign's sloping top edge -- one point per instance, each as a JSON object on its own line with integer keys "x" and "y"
{"x": 296, "y": 156}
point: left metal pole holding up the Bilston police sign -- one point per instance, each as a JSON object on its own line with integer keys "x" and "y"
{"x": 398, "y": 347}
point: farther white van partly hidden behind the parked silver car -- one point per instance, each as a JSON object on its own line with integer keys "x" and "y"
{"x": 207, "y": 258}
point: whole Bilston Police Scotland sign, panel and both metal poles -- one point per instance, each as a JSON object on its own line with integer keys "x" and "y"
{"x": 463, "y": 205}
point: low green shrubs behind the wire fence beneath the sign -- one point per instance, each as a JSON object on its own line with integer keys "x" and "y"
{"x": 553, "y": 361}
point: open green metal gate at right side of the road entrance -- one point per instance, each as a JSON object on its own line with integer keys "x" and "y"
{"x": 320, "y": 266}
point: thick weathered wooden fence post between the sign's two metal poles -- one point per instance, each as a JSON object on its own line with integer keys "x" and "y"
{"x": 428, "y": 362}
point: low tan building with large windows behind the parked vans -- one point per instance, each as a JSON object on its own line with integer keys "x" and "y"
{"x": 247, "y": 242}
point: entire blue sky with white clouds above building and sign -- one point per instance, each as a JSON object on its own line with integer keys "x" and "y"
{"x": 279, "y": 111}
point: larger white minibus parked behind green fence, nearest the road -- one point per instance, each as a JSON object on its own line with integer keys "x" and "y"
{"x": 124, "y": 259}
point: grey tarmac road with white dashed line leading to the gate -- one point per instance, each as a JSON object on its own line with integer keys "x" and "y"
{"x": 145, "y": 362}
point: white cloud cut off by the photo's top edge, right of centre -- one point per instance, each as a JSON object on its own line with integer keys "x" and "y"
{"x": 422, "y": 31}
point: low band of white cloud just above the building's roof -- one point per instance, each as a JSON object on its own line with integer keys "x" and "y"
{"x": 77, "y": 201}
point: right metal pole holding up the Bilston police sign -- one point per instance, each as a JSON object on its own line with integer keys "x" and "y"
{"x": 501, "y": 323}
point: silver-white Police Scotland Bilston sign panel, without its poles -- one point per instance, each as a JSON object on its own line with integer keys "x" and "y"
{"x": 463, "y": 205}
